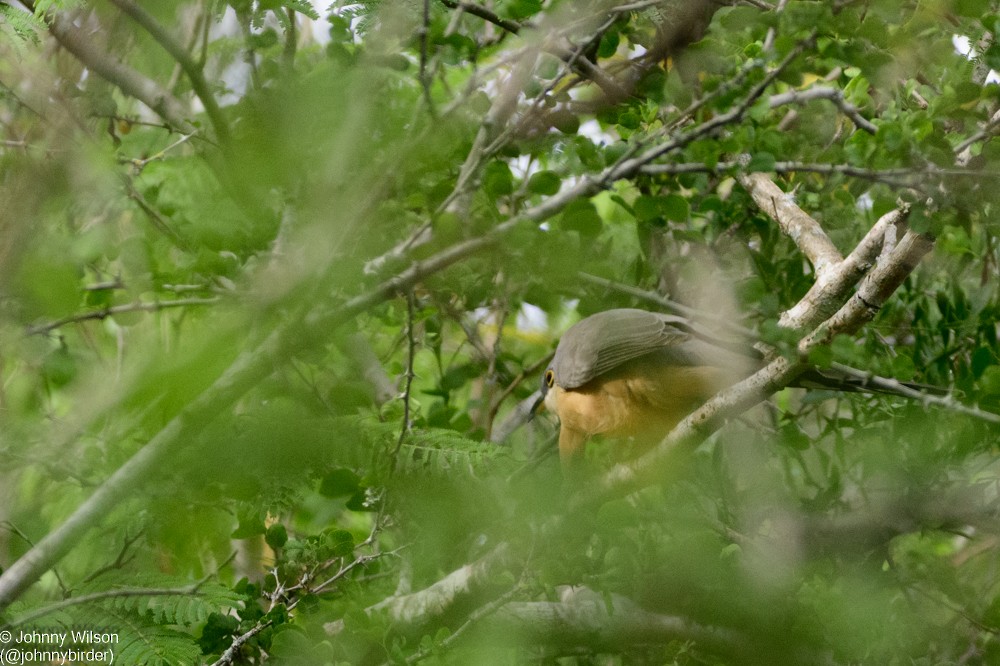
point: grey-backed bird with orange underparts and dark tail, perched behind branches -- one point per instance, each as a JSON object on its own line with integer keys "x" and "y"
{"x": 631, "y": 373}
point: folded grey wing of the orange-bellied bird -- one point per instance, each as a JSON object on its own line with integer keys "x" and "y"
{"x": 605, "y": 340}
